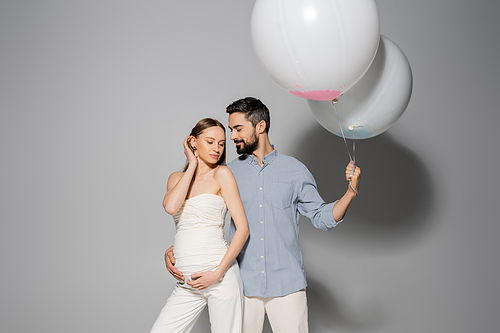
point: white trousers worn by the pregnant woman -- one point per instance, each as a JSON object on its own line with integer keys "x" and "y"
{"x": 184, "y": 306}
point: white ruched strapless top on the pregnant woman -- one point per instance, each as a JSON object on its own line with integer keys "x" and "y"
{"x": 199, "y": 243}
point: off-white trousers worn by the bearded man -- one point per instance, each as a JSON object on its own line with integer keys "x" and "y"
{"x": 286, "y": 314}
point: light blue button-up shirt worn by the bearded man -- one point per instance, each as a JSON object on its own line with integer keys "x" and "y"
{"x": 274, "y": 196}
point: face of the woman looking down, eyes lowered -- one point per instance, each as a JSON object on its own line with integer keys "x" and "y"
{"x": 210, "y": 144}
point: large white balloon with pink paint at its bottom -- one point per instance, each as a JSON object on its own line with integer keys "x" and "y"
{"x": 315, "y": 49}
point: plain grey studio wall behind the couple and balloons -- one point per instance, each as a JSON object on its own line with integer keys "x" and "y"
{"x": 97, "y": 96}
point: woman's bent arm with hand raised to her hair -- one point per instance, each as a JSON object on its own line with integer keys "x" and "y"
{"x": 179, "y": 182}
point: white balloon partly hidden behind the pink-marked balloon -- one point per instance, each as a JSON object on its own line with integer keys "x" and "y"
{"x": 376, "y": 102}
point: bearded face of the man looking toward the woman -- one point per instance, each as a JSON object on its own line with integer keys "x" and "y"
{"x": 243, "y": 133}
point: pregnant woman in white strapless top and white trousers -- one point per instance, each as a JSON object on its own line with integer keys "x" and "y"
{"x": 198, "y": 199}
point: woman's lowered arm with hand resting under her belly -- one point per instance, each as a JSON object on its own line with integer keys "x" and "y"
{"x": 231, "y": 196}
